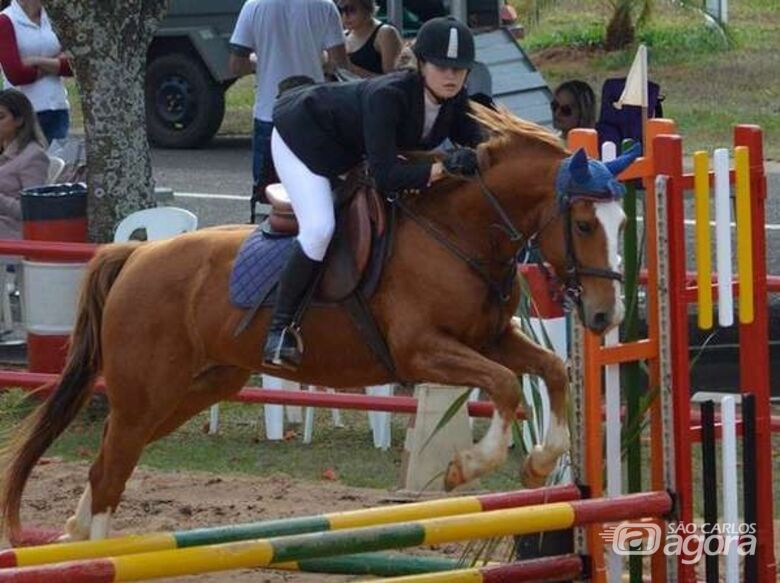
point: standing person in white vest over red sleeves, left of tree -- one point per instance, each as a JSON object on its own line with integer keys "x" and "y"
{"x": 33, "y": 62}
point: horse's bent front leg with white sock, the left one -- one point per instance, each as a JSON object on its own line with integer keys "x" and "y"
{"x": 446, "y": 361}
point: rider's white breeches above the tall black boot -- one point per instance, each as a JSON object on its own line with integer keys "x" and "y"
{"x": 311, "y": 199}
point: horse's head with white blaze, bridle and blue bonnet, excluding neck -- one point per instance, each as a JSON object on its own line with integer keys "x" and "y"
{"x": 580, "y": 237}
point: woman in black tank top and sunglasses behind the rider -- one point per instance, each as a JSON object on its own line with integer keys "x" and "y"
{"x": 373, "y": 47}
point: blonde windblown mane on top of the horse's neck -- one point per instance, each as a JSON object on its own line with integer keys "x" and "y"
{"x": 507, "y": 129}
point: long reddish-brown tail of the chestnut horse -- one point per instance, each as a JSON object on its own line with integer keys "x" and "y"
{"x": 34, "y": 436}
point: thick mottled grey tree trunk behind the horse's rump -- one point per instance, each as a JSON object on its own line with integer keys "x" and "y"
{"x": 107, "y": 41}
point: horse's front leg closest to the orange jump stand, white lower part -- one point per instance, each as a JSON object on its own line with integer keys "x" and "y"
{"x": 519, "y": 353}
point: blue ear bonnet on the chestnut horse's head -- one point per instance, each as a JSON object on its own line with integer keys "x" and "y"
{"x": 579, "y": 177}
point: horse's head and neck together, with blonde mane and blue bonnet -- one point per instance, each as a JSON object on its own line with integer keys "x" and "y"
{"x": 566, "y": 205}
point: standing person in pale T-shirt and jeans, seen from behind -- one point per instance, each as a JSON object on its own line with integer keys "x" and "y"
{"x": 272, "y": 30}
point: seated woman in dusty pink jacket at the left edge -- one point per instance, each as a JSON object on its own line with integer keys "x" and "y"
{"x": 23, "y": 160}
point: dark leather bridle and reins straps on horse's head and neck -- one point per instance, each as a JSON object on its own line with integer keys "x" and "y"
{"x": 571, "y": 285}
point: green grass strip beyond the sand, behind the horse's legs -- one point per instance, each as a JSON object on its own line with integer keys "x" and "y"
{"x": 241, "y": 448}
